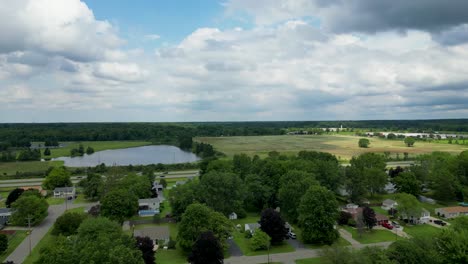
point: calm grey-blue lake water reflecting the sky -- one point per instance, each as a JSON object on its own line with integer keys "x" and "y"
{"x": 135, "y": 156}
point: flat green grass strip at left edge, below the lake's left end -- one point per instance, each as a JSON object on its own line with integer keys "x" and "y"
{"x": 10, "y": 168}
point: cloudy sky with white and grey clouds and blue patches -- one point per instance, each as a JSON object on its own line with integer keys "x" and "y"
{"x": 232, "y": 60}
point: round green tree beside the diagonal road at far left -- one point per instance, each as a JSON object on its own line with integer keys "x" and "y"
{"x": 29, "y": 206}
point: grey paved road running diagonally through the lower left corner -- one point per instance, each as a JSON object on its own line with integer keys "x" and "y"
{"x": 39, "y": 231}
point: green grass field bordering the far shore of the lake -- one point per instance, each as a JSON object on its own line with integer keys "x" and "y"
{"x": 96, "y": 145}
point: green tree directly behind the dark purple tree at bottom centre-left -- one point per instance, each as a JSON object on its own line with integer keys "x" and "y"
{"x": 199, "y": 218}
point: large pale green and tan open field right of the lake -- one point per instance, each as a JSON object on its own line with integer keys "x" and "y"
{"x": 344, "y": 147}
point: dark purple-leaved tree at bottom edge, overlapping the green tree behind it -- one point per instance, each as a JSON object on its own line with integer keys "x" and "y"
{"x": 207, "y": 250}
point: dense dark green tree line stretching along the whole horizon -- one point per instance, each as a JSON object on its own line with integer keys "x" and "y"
{"x": 20, "y": 135}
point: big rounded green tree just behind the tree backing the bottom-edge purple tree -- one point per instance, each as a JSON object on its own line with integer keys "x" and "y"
{"x": 224, "y": 192}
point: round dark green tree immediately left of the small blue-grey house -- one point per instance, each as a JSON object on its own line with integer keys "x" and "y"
{"x": 119, "y": 204}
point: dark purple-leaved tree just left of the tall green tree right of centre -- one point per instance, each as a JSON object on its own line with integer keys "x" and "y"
{"x": 273, "y": 224}
